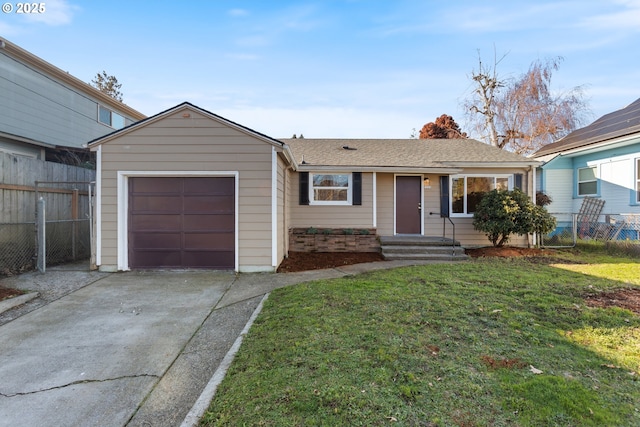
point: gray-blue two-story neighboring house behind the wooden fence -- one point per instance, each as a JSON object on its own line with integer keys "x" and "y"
{"x": 46, "y": 113}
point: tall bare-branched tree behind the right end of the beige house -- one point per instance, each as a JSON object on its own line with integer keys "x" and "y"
{"x": 523, "y": 114}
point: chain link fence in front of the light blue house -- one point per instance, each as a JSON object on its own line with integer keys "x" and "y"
{"x": 572, "y": 228}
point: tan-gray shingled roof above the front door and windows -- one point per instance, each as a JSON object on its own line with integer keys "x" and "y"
{"x": 399, "y": 153}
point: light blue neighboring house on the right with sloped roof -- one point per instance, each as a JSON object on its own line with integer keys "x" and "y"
{"x": 601, "y": 160}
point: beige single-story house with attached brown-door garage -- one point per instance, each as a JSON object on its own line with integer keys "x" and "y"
{"x": 188, "y": 188}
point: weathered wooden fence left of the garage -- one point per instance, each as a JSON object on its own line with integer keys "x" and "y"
{"x": 66, "y": 199}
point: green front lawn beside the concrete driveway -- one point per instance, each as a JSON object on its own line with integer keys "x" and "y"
{"x": 442, "y": 345}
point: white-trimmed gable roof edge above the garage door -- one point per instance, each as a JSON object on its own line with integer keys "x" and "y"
{"x": 184, "y": 108}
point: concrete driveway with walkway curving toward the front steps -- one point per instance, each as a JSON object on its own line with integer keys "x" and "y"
{"x": 130, "y": 349}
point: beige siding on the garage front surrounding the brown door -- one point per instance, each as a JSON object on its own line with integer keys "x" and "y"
{"x": 197, "y": 143}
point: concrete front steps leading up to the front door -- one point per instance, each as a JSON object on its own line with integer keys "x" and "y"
{"x": 424, "y": 248}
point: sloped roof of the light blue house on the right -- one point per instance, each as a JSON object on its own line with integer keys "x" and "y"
{"x": 613, "y": 125}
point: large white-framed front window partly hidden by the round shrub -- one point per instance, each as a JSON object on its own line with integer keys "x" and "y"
{"x": 467, "y": 191}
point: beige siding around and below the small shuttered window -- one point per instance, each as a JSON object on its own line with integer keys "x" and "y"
{"x": 332, "y": 216}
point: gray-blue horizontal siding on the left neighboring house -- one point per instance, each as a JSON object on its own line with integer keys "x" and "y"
{"x": 40, "y": 107}
